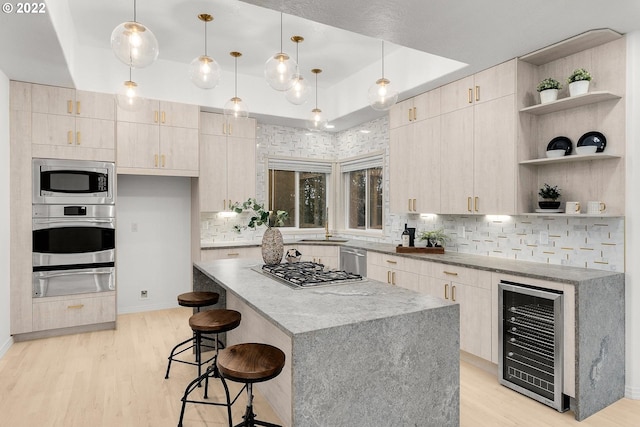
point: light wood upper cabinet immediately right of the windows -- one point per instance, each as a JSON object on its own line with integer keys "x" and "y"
{"x": 414, "y": 160}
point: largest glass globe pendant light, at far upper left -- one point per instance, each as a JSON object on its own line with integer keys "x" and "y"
{"x": 134, "y": 44}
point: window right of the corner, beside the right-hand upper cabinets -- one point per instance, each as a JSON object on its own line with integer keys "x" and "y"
{"x": 363, "y": 189}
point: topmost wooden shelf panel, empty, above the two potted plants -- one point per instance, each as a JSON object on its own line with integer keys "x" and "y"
{"x": 570, "y": 46}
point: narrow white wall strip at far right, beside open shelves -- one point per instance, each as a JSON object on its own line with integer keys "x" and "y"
{"x": 632, "y": 232}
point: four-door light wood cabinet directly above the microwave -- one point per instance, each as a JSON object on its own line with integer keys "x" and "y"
{"x": 70, "y": 124}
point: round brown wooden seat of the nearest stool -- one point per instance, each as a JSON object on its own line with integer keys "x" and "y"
{"x": 250, "y": 362}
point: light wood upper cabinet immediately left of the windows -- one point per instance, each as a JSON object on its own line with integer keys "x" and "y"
{"x": 227, "y": 162}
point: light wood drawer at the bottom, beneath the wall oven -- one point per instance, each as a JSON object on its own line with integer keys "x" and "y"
{"x": 63, "y": 312}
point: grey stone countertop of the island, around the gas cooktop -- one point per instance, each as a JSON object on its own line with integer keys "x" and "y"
{"x": 297, "y": 311}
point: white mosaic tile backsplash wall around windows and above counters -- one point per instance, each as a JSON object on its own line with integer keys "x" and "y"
{"x": 591, "y": 242}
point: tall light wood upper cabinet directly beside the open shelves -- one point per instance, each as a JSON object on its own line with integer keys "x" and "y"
{"x": 478, "y": 143}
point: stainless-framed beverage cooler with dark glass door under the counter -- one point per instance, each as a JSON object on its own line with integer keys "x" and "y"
{"x": 531, "y": 342}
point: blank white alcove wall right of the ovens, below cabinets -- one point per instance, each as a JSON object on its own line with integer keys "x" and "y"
{"x": 156, "y": 257}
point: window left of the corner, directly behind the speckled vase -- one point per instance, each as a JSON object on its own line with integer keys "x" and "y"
{"x": 300, "y": 188}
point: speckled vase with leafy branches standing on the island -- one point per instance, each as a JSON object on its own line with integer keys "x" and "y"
{"x": 272, "y": 244}
